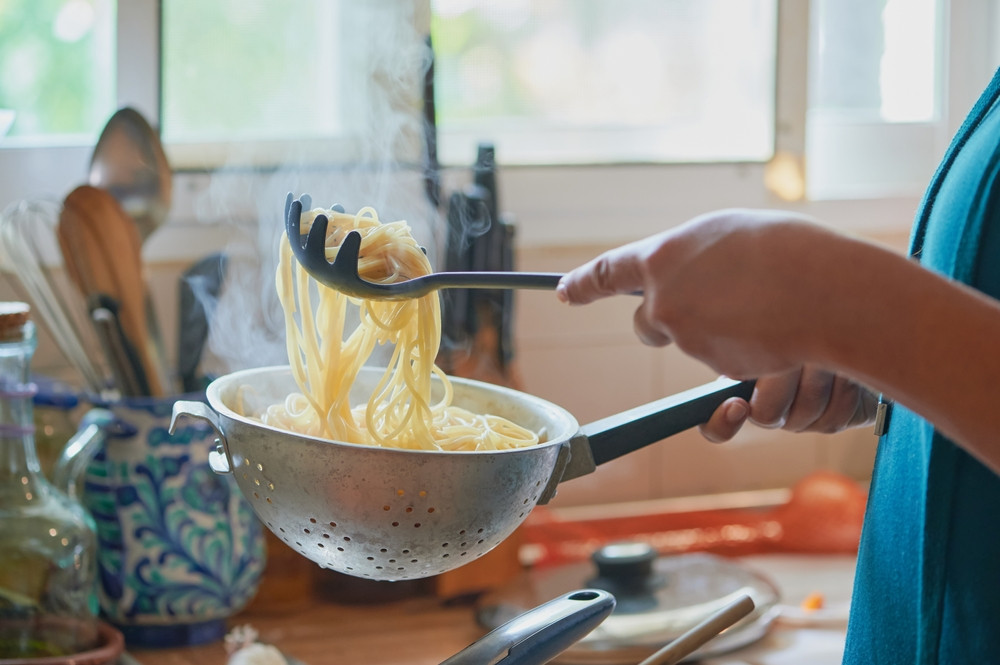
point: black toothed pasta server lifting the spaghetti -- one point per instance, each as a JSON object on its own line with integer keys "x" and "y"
{"x": 342, "y": 275}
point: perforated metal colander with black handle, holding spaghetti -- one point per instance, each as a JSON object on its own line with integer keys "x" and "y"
{"x": 390, "y": 514}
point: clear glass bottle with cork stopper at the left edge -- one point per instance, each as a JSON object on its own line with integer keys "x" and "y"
{"x": 48, "y": 545}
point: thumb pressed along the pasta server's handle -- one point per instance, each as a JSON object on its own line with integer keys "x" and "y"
{"x": 614, "y": 272}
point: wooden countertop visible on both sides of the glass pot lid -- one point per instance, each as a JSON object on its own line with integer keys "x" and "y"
{"x": 424, "y": 630}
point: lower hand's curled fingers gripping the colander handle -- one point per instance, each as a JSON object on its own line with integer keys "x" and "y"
{"x": 805, "y": 400}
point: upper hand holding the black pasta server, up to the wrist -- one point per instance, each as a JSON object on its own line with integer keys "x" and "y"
{"x": 742, "y": 291}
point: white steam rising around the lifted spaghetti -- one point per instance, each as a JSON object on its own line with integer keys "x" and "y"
{"x": 376, "y": 163}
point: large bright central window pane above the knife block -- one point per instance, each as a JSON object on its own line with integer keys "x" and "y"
{"x": 597, "y": 81}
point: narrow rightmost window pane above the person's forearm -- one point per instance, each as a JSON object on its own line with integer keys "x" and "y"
{"x": 873, "y": 126}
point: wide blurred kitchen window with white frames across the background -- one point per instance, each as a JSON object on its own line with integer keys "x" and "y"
{"x": 635, "y": 166}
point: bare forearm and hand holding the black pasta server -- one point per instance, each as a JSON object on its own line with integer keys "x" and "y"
{"x": 776, "y": 296}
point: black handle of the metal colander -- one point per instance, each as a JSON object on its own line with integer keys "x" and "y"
{"x": 628, "y": 431}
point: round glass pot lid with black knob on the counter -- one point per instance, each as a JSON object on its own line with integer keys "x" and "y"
{"x": 659, "y": 599}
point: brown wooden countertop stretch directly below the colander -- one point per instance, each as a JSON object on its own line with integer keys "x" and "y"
{"x": 418, "y": 631}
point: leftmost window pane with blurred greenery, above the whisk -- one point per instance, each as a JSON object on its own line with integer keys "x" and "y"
{"x": 57, "y": 64}
